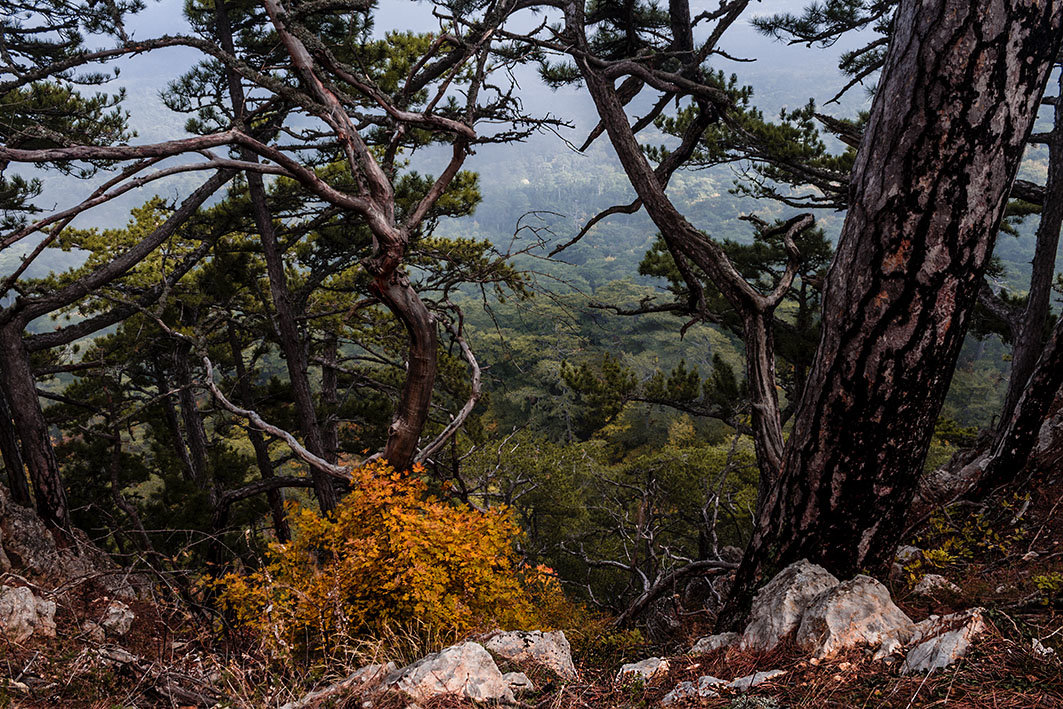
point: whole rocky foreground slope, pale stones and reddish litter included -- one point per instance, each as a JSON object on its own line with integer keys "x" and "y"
{"x": 971, "y": 617}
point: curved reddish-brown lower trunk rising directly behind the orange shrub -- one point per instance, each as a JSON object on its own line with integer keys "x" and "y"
{"x": 412, "y": 412}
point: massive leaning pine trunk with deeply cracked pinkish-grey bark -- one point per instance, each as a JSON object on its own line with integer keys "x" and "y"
{"x": 948, "y": 128}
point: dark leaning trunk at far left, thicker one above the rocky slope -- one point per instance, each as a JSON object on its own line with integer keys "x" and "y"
{"x": 21, "y": 389}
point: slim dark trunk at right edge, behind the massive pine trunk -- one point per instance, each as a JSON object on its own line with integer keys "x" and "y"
{"x": 1032, "y": 332}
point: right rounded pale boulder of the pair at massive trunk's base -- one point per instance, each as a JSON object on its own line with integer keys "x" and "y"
{"x": 854, "y": 614}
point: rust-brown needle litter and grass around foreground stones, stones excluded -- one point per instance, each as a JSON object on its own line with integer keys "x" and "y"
{"x": 1006, "y": 558}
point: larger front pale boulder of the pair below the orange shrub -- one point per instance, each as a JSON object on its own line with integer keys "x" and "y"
{"x": 466, "y": 670}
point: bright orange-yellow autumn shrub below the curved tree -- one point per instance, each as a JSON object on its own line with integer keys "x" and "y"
{"x": 392, "y": 555}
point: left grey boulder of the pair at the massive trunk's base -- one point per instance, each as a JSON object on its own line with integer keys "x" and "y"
{"x": 779, "y": 606}
